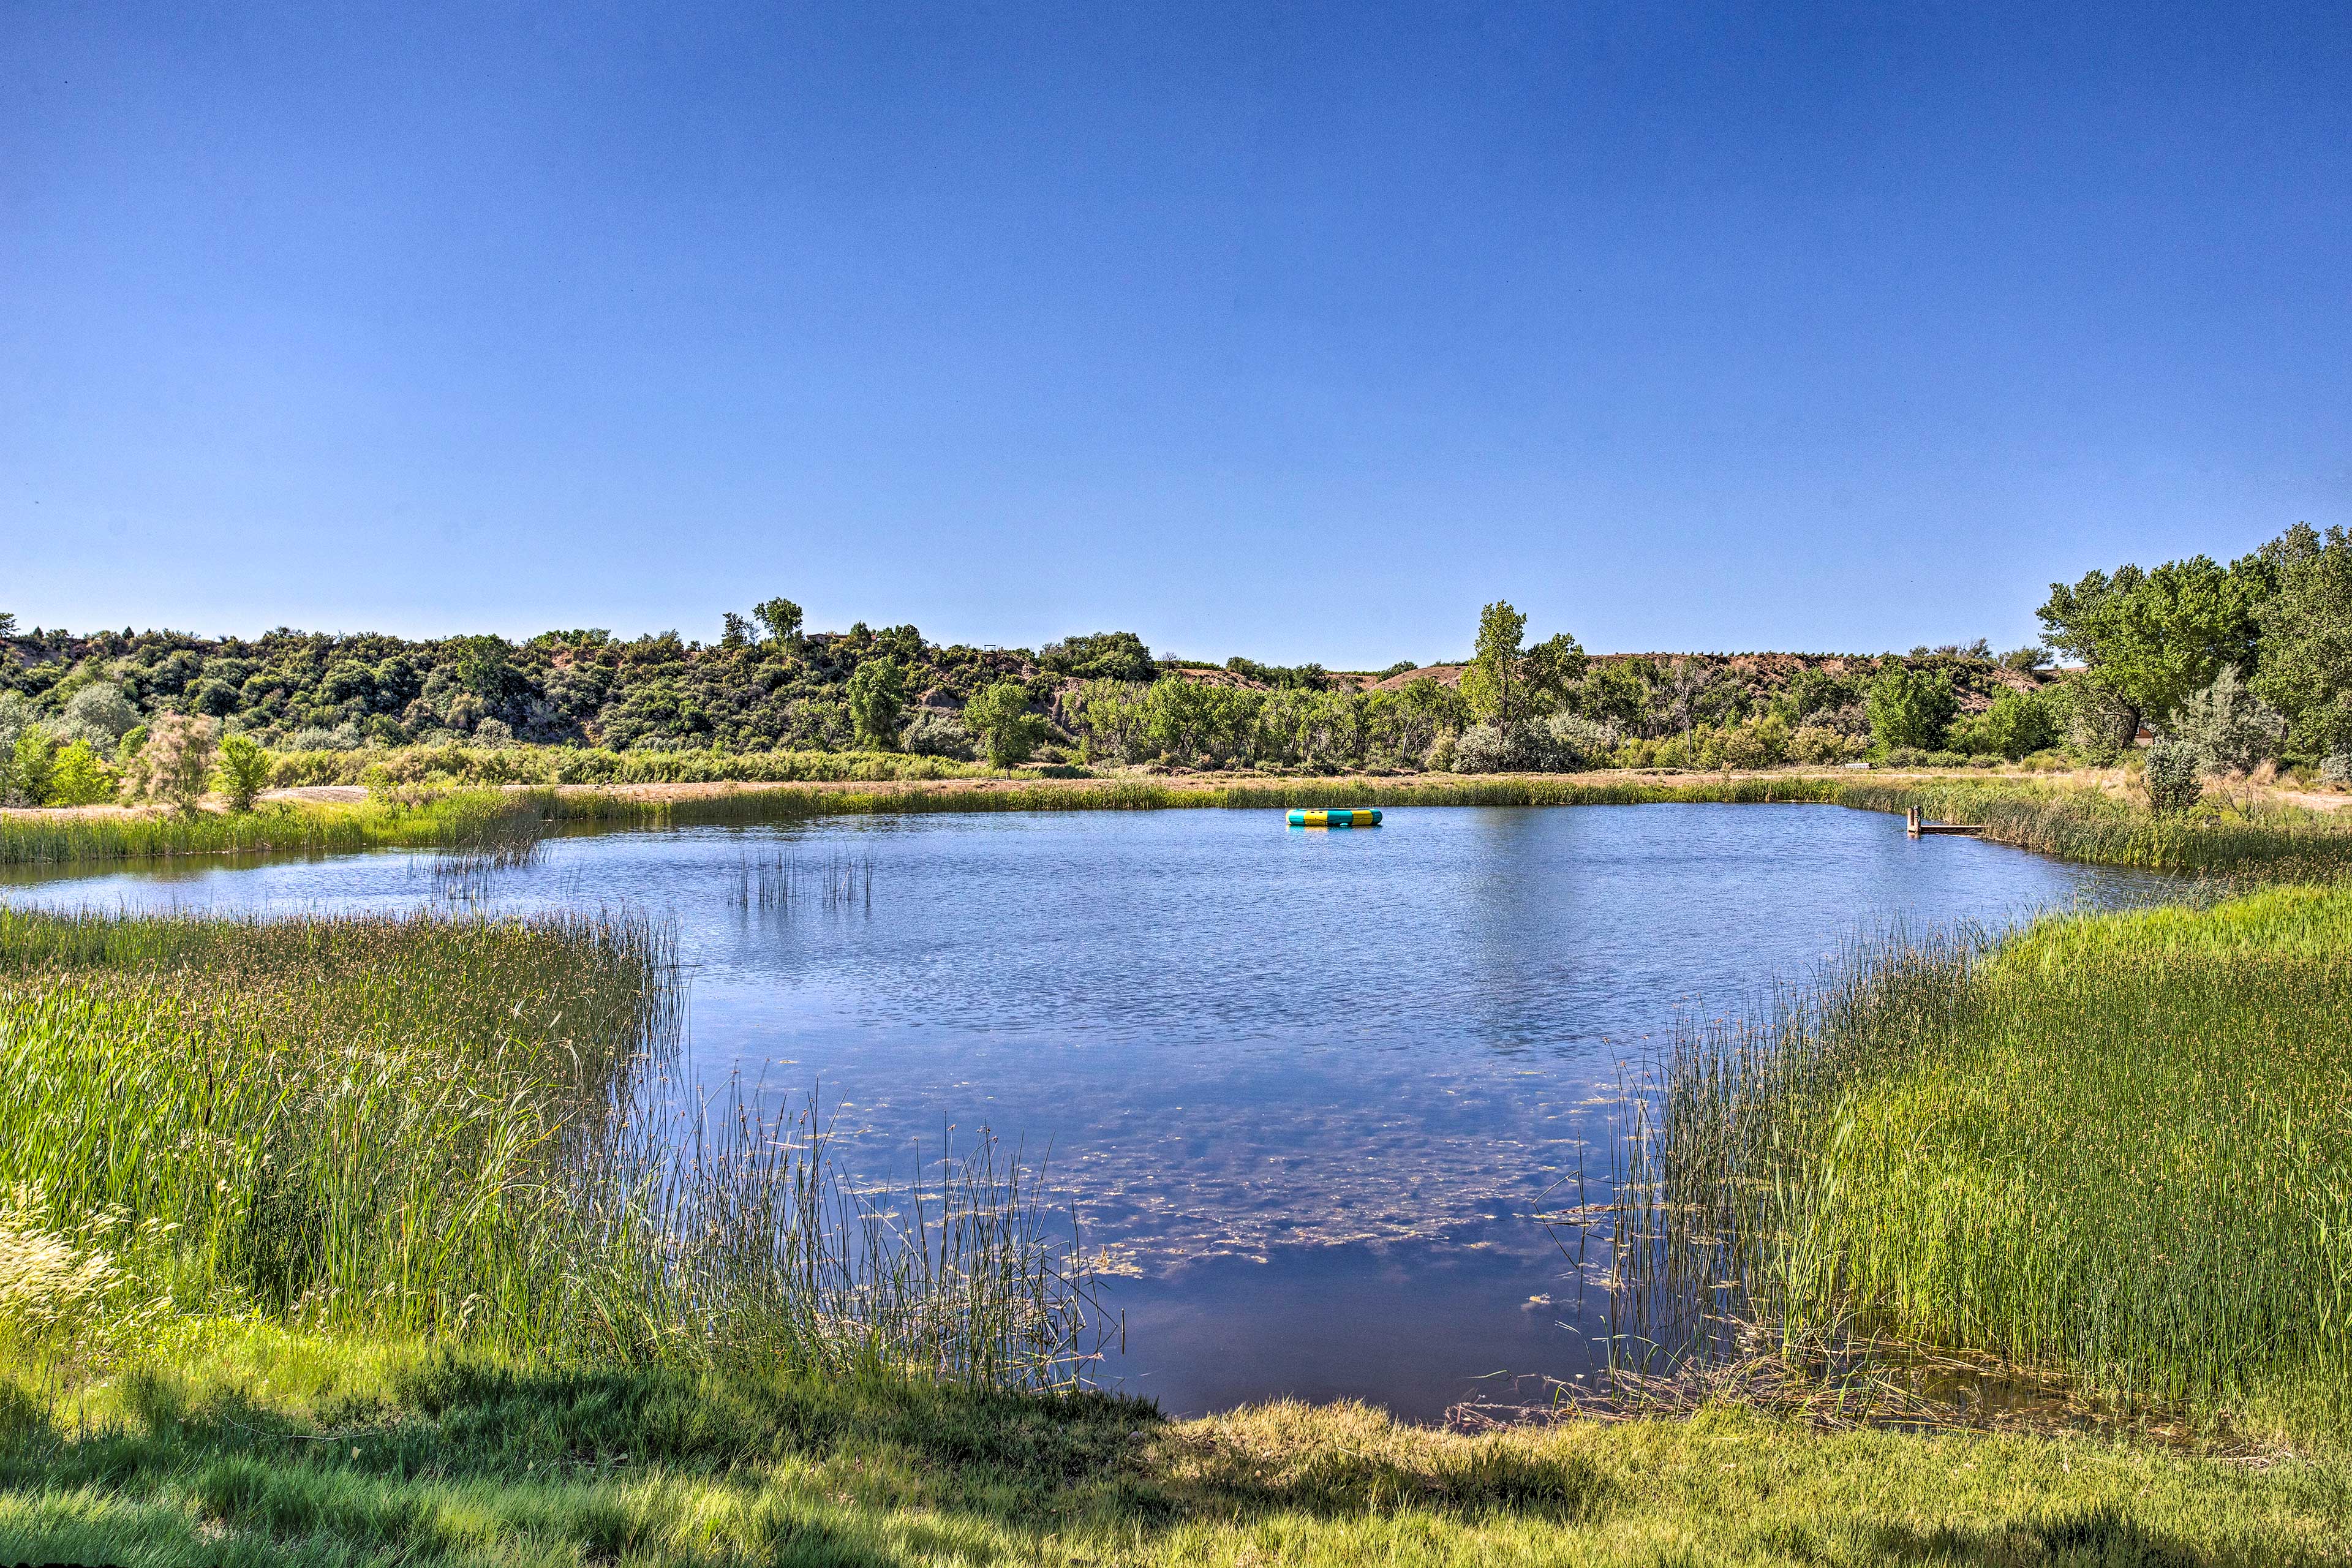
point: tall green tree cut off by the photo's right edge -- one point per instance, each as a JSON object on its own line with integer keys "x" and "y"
{"x": 2306, "y": 669}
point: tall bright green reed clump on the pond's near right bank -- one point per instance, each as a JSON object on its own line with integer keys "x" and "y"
{"x": 2116, "y": 1146}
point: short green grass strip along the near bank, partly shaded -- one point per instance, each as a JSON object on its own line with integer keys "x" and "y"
{"x": 246, "y": 1445}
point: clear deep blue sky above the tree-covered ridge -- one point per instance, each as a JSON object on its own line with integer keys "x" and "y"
{"x": 1292, "y": 330}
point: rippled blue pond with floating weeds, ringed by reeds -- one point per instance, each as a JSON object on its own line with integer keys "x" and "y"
{"x": 1304, "y": 1087}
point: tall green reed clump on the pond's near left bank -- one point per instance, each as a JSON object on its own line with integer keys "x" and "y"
{"x": 465, "y": 1132}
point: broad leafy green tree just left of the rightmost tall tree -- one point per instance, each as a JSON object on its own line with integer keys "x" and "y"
{"x": 2153, "y": 638}
